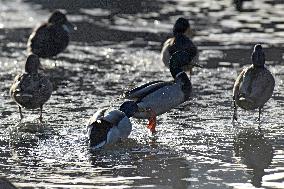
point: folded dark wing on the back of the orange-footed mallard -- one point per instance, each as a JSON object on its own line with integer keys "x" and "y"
{"x": 142, "y": 91}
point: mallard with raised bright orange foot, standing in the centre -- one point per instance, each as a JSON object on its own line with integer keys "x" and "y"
{"x": 158, "y": 97}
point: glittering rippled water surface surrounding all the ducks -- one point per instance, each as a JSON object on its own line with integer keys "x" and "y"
{"x": 116, "y": 47}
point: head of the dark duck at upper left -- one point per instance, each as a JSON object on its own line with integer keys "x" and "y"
{"x": 59, "y": 18}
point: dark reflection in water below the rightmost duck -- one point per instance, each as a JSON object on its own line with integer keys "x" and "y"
{"x": 256, "y": 153}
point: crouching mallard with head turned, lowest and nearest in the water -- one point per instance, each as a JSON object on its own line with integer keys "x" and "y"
{"x": 112, "y": 126}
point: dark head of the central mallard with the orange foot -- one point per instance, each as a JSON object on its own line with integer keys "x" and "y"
{"x": 180, "y": 59}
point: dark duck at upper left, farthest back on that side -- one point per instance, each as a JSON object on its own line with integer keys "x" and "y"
{"x": 52, "y": 37}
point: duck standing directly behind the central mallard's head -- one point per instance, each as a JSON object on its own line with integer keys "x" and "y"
{"x": 181, "y": 41}
